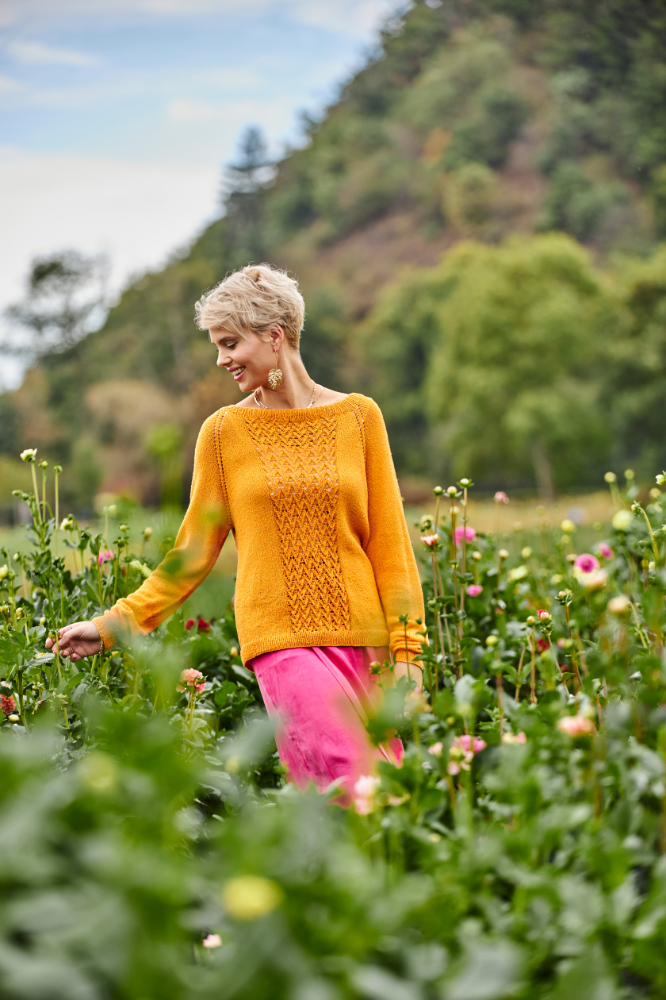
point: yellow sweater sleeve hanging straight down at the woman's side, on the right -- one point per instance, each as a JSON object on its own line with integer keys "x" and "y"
{"x": 389, "y": 547}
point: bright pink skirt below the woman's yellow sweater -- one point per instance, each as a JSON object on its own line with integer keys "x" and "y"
{"x": 321, "y": 697}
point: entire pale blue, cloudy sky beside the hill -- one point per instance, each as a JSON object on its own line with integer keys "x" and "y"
{"x": 117, "y": 116}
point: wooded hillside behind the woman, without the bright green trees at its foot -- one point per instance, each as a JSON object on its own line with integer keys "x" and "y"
{"x": 476, "y": 119}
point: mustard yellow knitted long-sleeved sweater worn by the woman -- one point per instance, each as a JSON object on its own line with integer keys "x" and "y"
{"x": 324, "y": 558}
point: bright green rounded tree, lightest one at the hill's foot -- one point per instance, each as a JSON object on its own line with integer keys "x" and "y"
{"x": 515, "y": 376}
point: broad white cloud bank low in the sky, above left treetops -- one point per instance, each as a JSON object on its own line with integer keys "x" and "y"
{"x": 136, "y": 213}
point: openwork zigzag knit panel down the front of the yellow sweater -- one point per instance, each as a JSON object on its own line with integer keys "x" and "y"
{"x": 299, "y": 461}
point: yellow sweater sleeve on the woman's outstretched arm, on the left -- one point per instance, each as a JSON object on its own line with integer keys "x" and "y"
{"x": 200, "y": 538}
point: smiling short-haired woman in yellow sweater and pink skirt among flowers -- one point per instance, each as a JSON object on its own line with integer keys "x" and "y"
{"x": 303, "y": 476}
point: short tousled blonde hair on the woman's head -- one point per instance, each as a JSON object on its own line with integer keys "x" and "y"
{"x": 254, "y": 298}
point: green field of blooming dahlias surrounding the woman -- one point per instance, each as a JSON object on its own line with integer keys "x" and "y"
{"x": 151, "y": 847}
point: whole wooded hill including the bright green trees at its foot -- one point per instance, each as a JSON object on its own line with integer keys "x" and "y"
{"x": 523, "y": 356}
